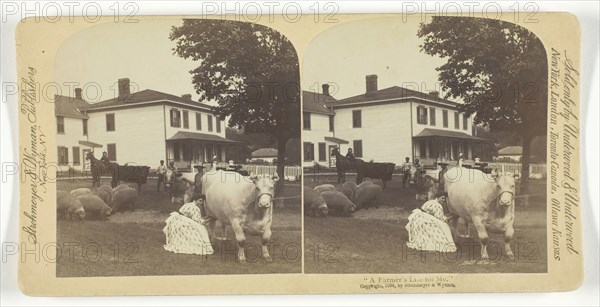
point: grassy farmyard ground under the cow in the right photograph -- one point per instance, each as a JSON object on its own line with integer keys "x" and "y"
{"x": 374, "y": 240}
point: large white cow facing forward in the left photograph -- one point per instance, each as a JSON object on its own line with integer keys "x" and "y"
{"x": 244, "y": 202}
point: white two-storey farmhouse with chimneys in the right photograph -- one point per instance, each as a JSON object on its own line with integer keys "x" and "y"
{"x": 391, "y": 124}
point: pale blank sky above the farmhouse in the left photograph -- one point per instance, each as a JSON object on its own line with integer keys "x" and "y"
{"x": 100, "y": 55}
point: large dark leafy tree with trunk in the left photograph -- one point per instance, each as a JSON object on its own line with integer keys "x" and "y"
{"x": 251, "y": 71}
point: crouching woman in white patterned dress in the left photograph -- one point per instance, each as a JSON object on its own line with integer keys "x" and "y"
{"x": 185, "y": 233}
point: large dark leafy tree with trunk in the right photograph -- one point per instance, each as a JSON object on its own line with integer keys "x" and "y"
{"x": 499, "y": 70}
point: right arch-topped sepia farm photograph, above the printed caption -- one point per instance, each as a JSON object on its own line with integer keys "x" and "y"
{"x": 424, "y": 148}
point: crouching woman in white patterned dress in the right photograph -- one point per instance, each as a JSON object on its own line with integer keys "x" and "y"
{"x": 427, "y": 227}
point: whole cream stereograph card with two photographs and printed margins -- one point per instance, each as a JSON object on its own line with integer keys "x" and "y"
{"x": 373, "y": 153}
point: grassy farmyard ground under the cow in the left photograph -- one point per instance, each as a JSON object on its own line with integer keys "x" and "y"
{"x": 131, "y": 243}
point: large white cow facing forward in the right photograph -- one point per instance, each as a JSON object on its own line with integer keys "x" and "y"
{"x": 485, "y": 200}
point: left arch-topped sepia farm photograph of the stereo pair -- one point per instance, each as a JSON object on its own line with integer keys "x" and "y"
{"x": 178, "y": 150}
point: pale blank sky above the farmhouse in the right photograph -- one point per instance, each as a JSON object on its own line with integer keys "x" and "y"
{"x": 387, "y": 47}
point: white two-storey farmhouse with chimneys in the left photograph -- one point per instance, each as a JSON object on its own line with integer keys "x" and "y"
{"x": 140, "y": 128}
